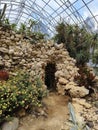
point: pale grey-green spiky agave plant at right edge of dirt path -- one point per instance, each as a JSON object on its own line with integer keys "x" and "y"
{"x": 75, "y": 124}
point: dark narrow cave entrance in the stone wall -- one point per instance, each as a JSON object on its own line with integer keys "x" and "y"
{"x": 50, "y": 81}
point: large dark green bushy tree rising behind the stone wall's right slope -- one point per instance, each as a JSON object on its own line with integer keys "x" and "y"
{"x": 77, "y": 41}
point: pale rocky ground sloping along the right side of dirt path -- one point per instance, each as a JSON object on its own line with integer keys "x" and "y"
{"x": 86, "y": 111}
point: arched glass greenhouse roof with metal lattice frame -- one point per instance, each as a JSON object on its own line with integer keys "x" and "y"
{"x": 49, "y": 12}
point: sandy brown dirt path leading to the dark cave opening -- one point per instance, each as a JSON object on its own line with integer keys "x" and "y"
{"x": 56, "y": 115}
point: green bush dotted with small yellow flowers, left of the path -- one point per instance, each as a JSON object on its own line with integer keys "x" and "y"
{"x": 17, "y": 93}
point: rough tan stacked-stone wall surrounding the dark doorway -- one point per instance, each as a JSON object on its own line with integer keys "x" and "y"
{"x": 18, "y": 53}
